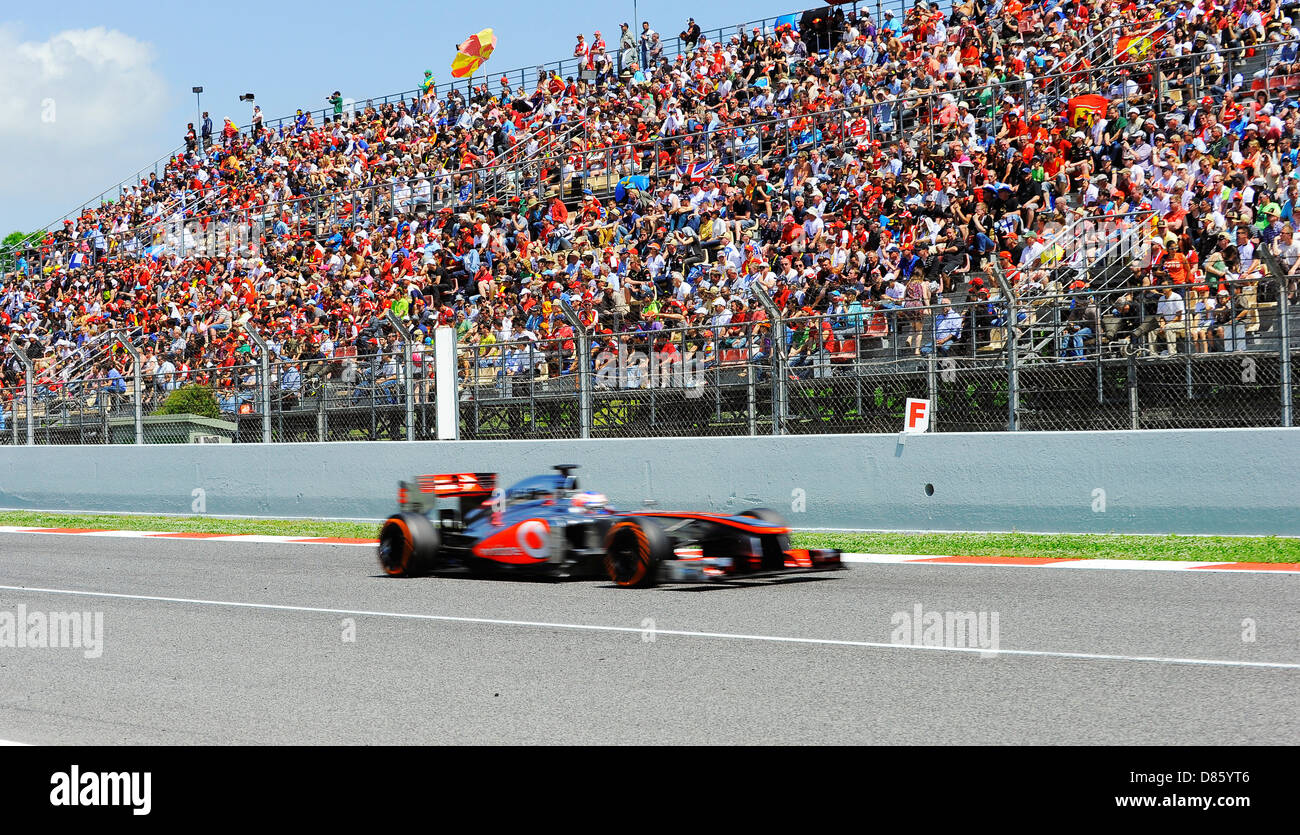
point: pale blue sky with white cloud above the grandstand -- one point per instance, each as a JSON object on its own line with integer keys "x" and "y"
{"x": 90, "y": 93}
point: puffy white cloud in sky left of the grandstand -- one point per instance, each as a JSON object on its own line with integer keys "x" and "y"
{"x": 77, "y": 114}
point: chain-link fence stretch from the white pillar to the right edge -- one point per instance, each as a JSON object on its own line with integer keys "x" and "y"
{"x": 1124, "y": 360}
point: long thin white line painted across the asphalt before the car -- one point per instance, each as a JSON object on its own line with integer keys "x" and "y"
{"x": 734, "y": 637}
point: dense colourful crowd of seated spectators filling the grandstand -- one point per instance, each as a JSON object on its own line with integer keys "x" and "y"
{"x": 877, "y": 166}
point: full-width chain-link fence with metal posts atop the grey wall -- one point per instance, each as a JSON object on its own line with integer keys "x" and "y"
{"x": 1124, "y": 358}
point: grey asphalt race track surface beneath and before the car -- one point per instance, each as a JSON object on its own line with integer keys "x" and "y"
{"x": 244, "y": 644}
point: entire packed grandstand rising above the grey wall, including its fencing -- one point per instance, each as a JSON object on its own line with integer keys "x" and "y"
{"x": 1038, "y": 215}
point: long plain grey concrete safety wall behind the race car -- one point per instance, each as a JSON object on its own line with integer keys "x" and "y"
{"x": 1152, "y": 482}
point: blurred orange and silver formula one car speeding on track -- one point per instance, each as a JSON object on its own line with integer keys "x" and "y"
{"x": 548, "y": 526}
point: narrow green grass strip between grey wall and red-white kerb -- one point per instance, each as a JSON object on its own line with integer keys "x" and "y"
{"x": 1065, "y": 546}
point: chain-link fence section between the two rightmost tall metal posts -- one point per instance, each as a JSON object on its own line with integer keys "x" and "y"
{"x": 1177, "y": 357}
